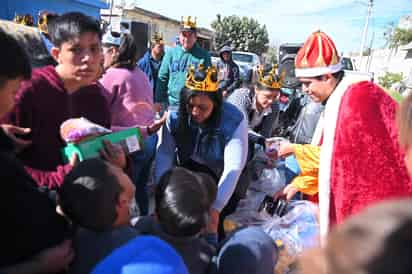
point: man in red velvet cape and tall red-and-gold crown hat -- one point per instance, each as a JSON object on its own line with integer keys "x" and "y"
{"x": 354, "y": 149}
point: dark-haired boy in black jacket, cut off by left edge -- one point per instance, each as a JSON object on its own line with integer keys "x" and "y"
{"x": 32, "y": 233}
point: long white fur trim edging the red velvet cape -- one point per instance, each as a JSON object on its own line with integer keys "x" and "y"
{"x": 327, "y": 125}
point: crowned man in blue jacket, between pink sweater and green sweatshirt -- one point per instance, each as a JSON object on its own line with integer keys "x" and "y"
{"x": 151, "y": 61}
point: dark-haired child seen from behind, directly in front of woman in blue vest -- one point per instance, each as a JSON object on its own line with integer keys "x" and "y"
{"x": 183, "y": 199}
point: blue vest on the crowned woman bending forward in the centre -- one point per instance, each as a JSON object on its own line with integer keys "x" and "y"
{"x": 208, "y": 144}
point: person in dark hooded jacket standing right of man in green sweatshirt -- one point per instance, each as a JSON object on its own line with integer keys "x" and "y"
{"x": 228, "y": 72}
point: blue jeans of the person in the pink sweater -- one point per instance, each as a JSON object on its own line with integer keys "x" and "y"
{"x": 142, "y": 161}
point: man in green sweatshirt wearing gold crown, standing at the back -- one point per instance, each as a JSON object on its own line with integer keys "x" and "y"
{"x": 172, "y": 73}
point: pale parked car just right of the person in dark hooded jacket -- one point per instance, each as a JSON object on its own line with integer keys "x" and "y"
{"x": 248, "y": 63}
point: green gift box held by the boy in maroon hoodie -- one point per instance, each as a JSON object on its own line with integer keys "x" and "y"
{"x": 130, "y": 139}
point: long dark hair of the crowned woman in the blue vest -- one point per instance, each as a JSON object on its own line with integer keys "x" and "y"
{"x": 183, "y": 124}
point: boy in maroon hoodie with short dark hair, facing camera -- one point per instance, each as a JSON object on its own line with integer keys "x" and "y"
{"x": 55, "y": 94}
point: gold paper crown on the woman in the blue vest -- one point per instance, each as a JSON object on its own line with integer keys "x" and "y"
{"x": 209, "y": 82}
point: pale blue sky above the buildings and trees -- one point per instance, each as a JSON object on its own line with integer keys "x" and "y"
{"x": 294, "y": 20}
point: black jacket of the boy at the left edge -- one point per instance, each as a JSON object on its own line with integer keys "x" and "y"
{"x": 29, "y": 219}
